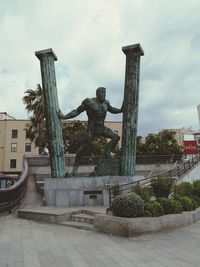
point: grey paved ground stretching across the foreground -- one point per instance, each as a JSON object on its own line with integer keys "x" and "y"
{"x": 25, "y": 243}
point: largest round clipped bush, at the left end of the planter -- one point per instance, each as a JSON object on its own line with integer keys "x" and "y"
{"x": 128, "y": 205}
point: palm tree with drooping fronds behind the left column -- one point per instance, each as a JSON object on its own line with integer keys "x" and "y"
{"x": 34, "y": 104}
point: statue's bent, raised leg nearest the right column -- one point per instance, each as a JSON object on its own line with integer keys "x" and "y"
{"x": 108, "y": 133}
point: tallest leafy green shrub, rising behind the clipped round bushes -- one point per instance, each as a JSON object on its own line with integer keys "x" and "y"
{"x": 162, "y": 186}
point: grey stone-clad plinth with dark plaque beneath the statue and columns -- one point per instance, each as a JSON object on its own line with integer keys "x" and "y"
{"x": 81, "y": 191}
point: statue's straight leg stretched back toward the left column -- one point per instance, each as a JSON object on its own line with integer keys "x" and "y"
{"x": 79, "y": 153}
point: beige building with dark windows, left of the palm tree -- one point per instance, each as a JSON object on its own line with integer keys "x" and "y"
{"x": 13, "y": 144}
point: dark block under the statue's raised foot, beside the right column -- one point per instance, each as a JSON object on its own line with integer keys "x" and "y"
{"x": 108, "y": 167}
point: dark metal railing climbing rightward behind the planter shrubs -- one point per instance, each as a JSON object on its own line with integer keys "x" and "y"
{"x": 175, "y": 172}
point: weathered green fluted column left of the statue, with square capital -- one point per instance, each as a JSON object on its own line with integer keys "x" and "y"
{"x": 51, "y": 106}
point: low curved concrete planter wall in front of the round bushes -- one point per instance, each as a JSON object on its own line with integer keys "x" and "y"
{"x": 142, "y": 225}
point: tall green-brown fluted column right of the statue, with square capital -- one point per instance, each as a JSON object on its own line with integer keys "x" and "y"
{"x": 130, "y": 113}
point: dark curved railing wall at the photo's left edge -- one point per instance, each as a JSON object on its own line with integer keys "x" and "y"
{"x": 10, "y": 198}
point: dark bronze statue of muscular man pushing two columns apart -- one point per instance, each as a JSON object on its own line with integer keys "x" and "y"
{"x": 96, "y": 109}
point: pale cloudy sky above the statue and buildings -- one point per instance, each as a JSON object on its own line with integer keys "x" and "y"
{"x": 87, "y": 37}
